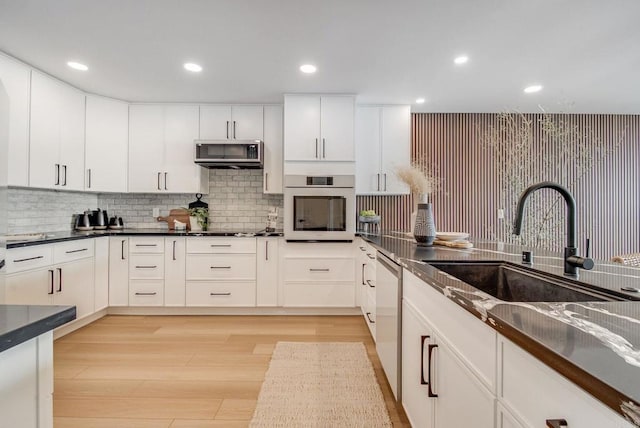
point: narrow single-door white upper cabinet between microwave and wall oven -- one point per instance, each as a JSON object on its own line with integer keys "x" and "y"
{"x": 273, "y": 122}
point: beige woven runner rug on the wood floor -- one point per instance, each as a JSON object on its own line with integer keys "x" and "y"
{"x": 320, "y": 385}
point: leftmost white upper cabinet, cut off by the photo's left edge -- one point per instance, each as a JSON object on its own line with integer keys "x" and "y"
{"x": 16, "y": 79}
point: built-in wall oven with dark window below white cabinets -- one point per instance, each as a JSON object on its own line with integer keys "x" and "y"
{"x": 319, "y": 208}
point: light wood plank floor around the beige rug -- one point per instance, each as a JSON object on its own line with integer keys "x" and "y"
{"x": 183, "y": 371}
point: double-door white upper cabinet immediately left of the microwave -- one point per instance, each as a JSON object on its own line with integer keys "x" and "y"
{"x": 161, "y": 149}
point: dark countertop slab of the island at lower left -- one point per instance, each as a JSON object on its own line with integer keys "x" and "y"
{"x": 19, "y": 323}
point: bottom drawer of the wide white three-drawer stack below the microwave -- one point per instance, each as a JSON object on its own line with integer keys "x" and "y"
{"x": 221, "y": 294}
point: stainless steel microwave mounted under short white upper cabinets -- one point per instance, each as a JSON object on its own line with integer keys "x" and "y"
{"x": 229, "y": 153}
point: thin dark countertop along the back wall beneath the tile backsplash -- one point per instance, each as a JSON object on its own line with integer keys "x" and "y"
{"x": 53, "y": 237}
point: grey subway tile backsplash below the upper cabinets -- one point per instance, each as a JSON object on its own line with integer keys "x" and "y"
{"x": 235, "y": 199}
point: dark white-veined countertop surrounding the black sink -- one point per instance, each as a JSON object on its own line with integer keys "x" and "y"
{"x": 596, "y": 345}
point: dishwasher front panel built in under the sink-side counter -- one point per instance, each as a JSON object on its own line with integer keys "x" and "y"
{"x": 388, "y": 320}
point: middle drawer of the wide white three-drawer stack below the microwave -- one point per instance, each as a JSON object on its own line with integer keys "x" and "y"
{"x": 221, "y": 266}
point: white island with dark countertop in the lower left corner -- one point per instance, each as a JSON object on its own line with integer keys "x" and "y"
{"x": 26, "y": 363}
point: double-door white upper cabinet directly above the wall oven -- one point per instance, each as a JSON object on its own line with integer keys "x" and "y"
{"x": 319, "y": 128}
